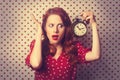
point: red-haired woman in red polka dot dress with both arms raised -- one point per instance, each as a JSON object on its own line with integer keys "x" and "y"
{"x": 55, "y": 57}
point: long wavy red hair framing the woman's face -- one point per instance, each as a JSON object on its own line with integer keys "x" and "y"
{"x": 67, "y": 41}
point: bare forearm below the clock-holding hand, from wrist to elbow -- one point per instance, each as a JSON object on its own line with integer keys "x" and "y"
{"x": 95, "y": 53}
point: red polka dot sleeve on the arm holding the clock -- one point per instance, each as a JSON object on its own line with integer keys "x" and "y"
{"x": 81, "y": 52}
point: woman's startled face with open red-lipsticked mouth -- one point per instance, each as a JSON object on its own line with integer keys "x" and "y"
{"x": 55, "y": 29}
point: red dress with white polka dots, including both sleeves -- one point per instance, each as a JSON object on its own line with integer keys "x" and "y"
{"x": 58, "y": 69}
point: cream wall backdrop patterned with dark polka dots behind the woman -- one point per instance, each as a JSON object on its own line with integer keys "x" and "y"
{"x": 17, "y": 31}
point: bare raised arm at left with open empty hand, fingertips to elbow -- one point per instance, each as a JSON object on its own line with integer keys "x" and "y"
{"x": 36, "y": 54}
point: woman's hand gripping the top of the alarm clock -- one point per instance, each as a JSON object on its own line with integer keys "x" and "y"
{"x": 88, "y": 16}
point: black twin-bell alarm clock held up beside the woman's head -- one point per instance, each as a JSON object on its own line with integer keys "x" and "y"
{"x": 79, "y": 27}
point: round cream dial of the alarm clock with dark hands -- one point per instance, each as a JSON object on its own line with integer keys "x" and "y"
{"x": 80, "y": 29}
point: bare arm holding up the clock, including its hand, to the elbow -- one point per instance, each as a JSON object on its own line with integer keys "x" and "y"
{"x": 94, "y": 54}
